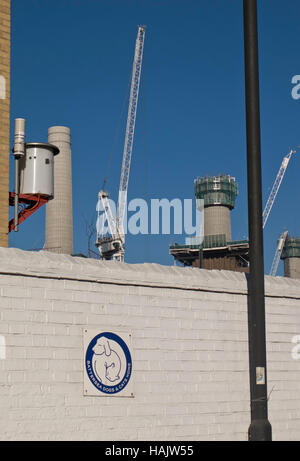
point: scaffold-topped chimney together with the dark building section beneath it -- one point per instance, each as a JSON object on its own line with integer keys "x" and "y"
{"x": 217, "y": 250}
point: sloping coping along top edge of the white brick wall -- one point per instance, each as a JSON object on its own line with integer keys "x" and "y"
{"x": 46, "y": 264}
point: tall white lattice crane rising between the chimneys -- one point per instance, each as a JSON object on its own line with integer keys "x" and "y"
{"x": 113, "y": 244}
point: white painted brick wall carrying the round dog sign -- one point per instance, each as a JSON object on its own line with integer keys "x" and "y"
{"x": 189, "y": 341}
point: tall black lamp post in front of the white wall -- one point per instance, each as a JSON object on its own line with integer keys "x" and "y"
{"x": 260, "y": 428}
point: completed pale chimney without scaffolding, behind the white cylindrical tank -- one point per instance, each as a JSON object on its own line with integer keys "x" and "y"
{"x": 59, "y": 216}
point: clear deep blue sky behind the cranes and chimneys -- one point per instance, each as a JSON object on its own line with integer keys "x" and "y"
{"x": 71, "y": 64}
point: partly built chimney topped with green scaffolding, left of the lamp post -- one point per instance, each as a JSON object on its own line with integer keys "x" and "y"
{"x": 219, "y": 194}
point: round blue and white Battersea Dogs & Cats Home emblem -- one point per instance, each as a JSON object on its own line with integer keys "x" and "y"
{"x": 108, "y": 363}
